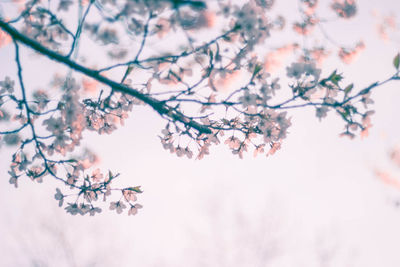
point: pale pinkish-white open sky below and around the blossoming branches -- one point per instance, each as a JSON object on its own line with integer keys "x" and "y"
{"x": 316, "y": 197}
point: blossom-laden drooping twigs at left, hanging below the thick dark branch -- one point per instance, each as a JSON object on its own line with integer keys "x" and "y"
{"x": 47, "y": 150}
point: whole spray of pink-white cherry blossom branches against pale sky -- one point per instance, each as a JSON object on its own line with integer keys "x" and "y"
{"x": 206, "y": 67}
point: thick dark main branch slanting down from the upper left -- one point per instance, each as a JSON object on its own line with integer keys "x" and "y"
{"x": 157, "y": 105}
